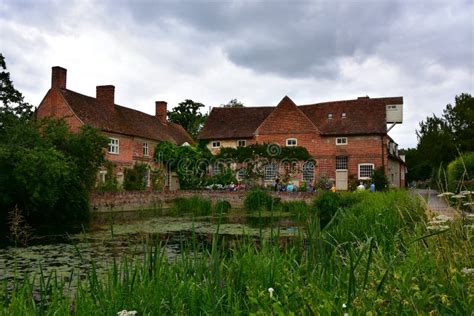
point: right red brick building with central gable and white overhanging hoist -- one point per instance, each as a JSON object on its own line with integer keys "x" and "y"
{"x": 348, "y": 139}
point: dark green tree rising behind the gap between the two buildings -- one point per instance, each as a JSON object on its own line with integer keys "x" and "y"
{"x": 187, "y": 114}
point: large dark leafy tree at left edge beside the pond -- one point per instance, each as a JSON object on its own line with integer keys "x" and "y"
{"x": 46, "y": 172}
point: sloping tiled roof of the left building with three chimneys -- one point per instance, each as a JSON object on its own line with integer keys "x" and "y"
{"x": 123, "y": 120}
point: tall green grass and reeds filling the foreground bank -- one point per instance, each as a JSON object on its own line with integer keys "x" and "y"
{"x": 375, "y": 255}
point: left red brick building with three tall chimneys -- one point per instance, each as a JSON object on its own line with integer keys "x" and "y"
{"x": 132, "y": 134}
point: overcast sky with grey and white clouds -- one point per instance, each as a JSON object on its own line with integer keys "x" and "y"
{"x": 255, "y": 51}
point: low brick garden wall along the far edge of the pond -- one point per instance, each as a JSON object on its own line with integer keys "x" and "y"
{"x": 139, "y": 200}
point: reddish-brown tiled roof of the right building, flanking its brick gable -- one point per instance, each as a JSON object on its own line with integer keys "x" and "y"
{"x": 362, "y": 116}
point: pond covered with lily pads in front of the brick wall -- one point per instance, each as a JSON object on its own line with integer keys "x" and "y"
{"x": 115, "y": 235}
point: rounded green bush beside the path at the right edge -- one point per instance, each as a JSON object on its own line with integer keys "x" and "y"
{"x": 461, "y": 173}
